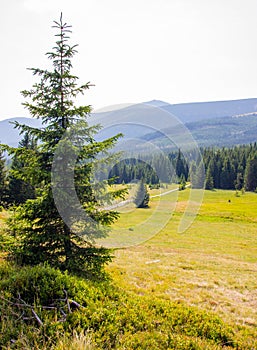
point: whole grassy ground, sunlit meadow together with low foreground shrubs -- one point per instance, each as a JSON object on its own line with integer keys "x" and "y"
{"x": 167, "y": 290}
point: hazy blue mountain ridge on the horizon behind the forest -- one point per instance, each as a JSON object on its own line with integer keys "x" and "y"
{"x": 218, "y": 123}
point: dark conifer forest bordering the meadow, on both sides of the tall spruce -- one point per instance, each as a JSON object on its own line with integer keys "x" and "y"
{"x": 225, "y": 168}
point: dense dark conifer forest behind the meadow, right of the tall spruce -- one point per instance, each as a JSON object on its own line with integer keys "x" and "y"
{"x": 225, "y": 168}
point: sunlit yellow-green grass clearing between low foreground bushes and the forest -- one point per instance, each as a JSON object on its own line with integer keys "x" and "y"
{"x": 213, "y": 265}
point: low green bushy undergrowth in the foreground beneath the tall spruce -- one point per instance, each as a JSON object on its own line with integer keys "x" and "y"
{"x": 108, "y": 317}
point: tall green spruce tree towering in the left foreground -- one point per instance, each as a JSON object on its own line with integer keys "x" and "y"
{"x": 42, "y": 234}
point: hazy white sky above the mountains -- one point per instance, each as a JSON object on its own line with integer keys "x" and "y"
{"x": 135, "y": 50}
